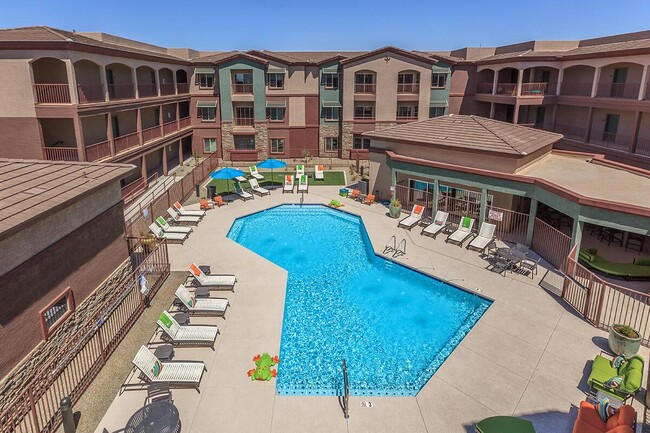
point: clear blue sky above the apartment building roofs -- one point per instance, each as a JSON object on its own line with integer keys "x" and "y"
{"x": 334, "y": 24}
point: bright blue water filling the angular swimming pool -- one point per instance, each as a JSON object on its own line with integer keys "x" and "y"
{"x": 393, "y": 325}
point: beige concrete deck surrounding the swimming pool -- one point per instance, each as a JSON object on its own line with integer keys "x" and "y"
{"x": 529, "y": 355}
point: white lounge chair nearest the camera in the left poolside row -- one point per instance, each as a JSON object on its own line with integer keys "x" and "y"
{"x": 173, "y": 373}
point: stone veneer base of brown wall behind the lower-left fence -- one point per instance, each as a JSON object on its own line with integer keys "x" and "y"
{"x": 16, "y": 381}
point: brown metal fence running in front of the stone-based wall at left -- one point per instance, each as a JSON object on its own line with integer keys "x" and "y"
{"x": 72, "y": 369}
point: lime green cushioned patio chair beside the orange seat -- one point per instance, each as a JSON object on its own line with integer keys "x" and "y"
{"x": 631, "y": 371}
